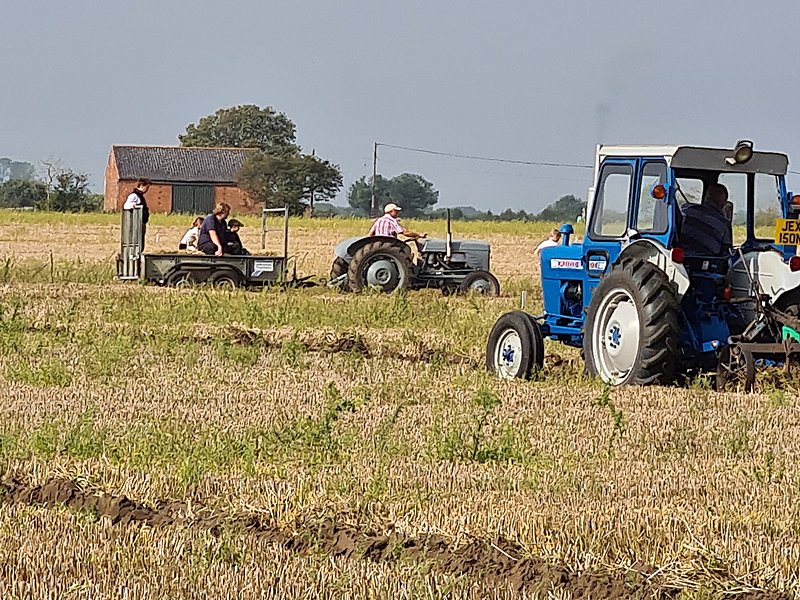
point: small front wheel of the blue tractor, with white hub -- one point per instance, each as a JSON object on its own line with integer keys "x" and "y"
{"x": 515, "y": 349}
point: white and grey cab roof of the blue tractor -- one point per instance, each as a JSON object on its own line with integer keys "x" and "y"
{"x": 697, "y": 157}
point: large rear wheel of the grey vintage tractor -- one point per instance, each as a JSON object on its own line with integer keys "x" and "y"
{"x": 380, "y": 264}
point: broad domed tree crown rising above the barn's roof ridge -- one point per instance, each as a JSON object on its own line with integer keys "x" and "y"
{"x": 246, "y": 126}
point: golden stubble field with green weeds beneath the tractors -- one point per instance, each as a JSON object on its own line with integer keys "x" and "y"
{"x": 307, "y": 443}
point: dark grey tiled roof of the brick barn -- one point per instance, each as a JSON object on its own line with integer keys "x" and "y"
{"x": 176, "y": 164}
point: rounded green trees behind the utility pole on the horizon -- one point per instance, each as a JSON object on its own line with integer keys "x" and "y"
{"x": 412, "y": 192}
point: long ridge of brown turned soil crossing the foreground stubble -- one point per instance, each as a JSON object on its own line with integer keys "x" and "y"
{"x": 496, "y": 560}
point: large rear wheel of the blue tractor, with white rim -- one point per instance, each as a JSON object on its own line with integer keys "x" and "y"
{"x": 632, "y": 332}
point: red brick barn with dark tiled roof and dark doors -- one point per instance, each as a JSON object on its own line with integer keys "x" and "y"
{"x": 185, "y": 180}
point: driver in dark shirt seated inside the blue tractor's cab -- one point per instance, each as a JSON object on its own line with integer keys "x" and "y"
{"x": 706, "y": 230}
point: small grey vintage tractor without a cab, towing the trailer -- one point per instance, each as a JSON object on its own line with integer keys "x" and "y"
{"x": 389, "y": 264}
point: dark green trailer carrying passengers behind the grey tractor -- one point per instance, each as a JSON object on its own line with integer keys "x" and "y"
{"x": 187, "y": 268}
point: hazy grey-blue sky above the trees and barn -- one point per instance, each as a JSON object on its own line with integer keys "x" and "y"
{"x": 531, "y": 81}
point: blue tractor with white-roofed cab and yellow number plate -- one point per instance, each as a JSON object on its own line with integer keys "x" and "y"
{"x": 641, "y": 308}
